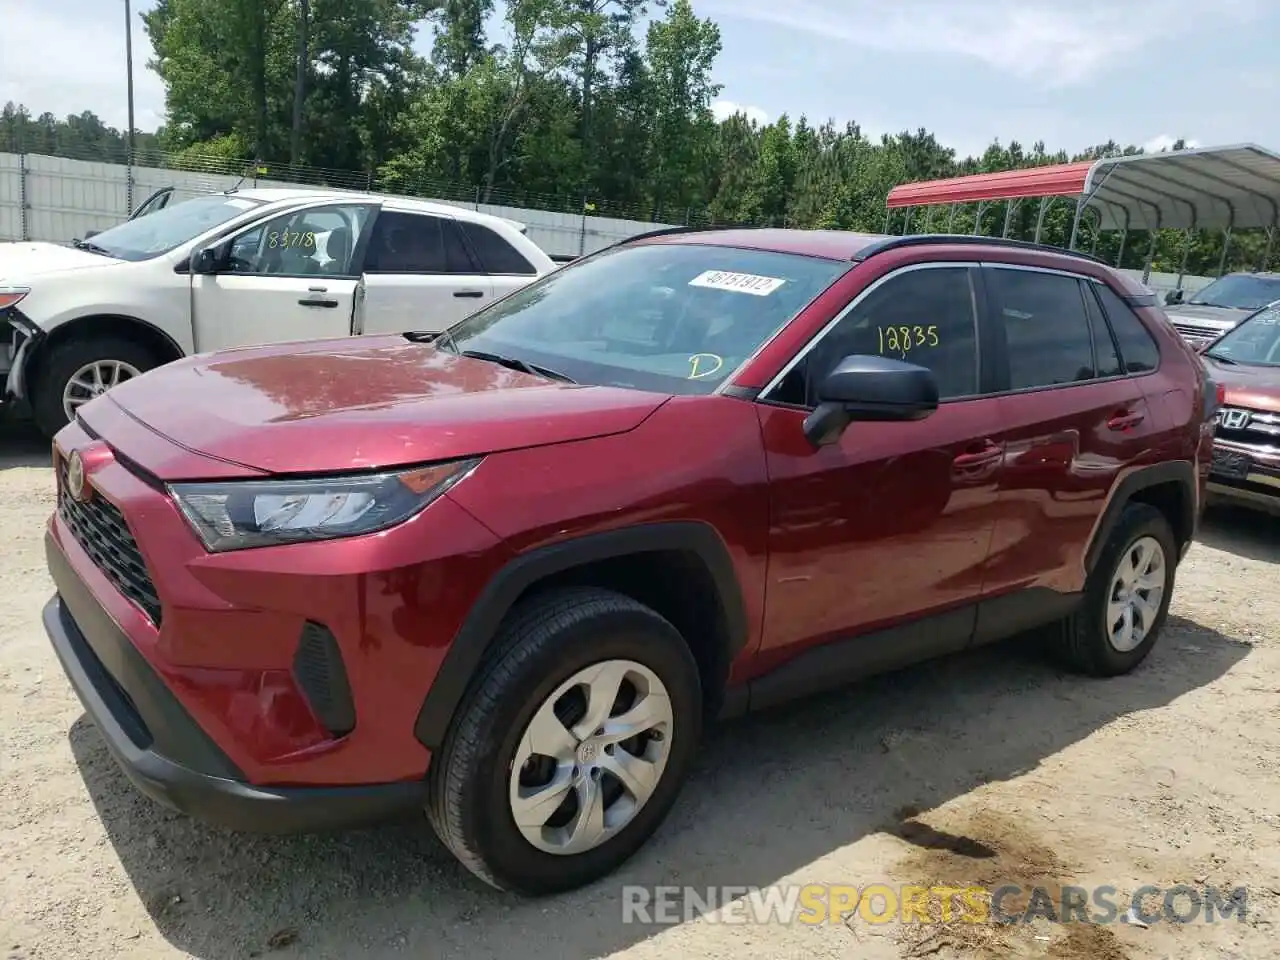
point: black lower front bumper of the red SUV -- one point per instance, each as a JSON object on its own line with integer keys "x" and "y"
{"x": 164, "y": 752}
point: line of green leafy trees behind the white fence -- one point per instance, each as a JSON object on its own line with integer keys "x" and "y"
{"x": 572, "y": 111}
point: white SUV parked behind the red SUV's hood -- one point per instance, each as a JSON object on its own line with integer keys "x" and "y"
{"x": 237, "y": 269}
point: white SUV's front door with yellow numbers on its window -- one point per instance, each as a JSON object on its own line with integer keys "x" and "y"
{"x": 290, "y": 278}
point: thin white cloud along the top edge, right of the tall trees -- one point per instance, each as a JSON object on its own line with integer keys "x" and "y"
{"x": 1052, "y": 43}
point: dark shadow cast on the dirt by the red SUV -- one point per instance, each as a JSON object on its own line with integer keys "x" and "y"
{"x": 772, "y": 794}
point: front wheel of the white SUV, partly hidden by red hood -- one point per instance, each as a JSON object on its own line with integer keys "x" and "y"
{"x": 80, "y": 371}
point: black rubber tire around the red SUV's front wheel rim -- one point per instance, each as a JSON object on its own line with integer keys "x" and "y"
{"x": 545, "y": 644}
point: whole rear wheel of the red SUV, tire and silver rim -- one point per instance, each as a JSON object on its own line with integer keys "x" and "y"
{"x": 1127, "y": 598}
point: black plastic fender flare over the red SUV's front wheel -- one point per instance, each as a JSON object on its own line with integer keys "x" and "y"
{"x": 481, "y": 629}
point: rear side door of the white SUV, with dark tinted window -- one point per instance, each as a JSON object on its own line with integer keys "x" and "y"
{"x": 419, "y": 275}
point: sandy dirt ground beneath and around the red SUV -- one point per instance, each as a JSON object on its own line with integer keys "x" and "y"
{"x": 989, "y": 769}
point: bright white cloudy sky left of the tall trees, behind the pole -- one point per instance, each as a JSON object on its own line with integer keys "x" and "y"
{"x": 67, "y": 58}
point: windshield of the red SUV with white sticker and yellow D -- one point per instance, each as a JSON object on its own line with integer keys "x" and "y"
{"x": 676, "y": 318}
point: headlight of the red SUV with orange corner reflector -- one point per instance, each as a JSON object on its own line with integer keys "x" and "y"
{"x": 240, "y": 514}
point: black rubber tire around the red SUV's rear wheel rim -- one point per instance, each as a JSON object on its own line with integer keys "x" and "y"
{"x": 1086, "y": 643}
